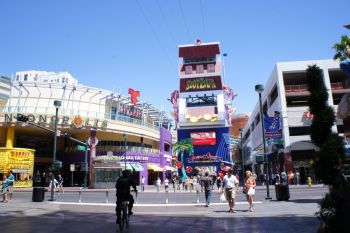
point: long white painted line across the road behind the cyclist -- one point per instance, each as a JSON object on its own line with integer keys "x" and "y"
{"x": 152, "y": 205}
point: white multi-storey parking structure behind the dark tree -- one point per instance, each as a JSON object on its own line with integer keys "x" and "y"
{"x": 284, "y": 100}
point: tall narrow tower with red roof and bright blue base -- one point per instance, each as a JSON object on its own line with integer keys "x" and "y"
{"x": 202, "y": 108}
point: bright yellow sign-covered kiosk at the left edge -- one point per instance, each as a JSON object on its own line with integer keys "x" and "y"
{"x": 21, "y": 162}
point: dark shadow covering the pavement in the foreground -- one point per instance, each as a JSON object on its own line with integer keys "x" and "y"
{"x": 91, "y": 220}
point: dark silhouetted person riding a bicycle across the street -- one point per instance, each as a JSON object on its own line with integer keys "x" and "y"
{"x": 123, "y": 192}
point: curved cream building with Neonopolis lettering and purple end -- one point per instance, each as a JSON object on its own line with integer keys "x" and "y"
{"x": 118, "y": 131}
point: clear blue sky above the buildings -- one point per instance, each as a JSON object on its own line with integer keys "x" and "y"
{"x": 106, "y": 43}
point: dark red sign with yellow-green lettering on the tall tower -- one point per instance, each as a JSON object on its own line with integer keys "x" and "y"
{"x": 200, "y": 84}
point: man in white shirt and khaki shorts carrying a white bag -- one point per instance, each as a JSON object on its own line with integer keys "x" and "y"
{"x": 231, "y": 185}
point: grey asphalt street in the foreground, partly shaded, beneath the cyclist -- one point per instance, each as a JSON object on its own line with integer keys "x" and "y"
{"x": 182, "y": 214}
